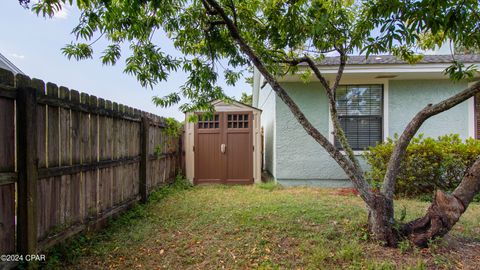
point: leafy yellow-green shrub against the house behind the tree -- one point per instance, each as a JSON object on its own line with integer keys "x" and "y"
{"x": 430, "y": 163}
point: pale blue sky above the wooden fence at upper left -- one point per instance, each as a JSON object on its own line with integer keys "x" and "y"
{"x": 34, "y": 44}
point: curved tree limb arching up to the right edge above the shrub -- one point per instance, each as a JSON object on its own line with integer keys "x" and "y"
{"x": 401, "y": 145}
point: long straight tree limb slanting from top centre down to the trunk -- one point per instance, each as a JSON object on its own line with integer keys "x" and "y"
{"x": 355, "y": 176}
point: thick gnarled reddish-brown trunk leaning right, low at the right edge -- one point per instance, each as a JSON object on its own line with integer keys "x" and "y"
{"x": 445, "y": 210}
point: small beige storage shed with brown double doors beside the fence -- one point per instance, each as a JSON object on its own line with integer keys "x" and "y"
{"x": 226, "y": 149}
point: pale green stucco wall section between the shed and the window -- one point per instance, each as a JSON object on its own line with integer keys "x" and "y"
{"x": 300, "y": 159}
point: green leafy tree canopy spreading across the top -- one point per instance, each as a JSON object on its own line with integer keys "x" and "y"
{"x": 276, "y": 30}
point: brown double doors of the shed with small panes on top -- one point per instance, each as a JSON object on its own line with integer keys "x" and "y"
{"x": 224, "y": 149}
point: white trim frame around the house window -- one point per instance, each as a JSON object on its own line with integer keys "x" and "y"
{"x": 385, "y": 83}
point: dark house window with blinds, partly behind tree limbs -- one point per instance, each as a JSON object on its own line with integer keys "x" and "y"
{"x": 360, "y": 111}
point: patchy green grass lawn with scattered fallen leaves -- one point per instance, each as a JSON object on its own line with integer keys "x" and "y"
{"x": 261, "y": 227}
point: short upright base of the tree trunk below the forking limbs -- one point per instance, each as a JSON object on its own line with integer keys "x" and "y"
{"x": 381, "y": 221}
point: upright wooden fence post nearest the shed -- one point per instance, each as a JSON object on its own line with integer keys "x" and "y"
{"x": 144, "y": 157}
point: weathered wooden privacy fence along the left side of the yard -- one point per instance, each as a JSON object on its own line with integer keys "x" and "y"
{"x": 69, "y": 161}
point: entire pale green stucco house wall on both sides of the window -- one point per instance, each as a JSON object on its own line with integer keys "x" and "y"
{"x": 299, "y": 160}
